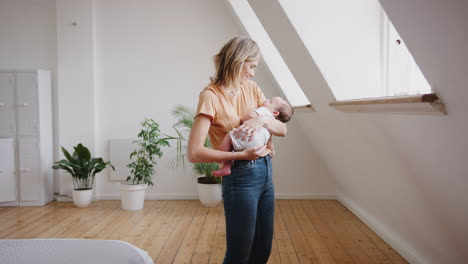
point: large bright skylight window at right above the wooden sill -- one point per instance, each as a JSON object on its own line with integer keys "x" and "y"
{"x": 356, "y": 48}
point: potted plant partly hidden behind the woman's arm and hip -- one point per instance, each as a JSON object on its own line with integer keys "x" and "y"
{"x": 208, "y": 186}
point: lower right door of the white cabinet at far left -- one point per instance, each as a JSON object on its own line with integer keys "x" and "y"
{"x": 29, "y": 172}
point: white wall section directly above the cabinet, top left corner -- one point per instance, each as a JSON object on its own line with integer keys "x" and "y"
{"x": 28, "y": 34}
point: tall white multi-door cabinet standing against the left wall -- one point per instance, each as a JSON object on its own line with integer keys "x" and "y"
{"x": 26, "y": 118}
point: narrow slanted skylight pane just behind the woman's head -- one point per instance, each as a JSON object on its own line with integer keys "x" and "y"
{"x": 271, "y": 56}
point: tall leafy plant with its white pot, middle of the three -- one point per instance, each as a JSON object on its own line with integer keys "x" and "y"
{"x": 144, "y": 160}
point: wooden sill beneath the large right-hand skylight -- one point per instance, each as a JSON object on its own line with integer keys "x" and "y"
{"x": 423, "y": 104}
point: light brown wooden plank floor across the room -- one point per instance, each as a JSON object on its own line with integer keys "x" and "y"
{"x": 306, "y": 231}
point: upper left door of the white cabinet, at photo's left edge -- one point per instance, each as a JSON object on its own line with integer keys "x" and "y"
{"x": 7, "y": 105}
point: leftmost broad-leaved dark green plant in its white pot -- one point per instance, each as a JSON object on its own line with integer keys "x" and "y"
{"x": 83, "y": 168}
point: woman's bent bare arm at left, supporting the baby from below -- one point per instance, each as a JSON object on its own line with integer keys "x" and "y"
{"x": 198, "y": 153}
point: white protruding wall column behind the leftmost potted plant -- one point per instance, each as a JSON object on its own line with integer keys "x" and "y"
{"x": 75, "y": 81}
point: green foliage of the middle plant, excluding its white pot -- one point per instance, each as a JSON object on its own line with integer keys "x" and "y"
{"x": 145, "y": 157}
